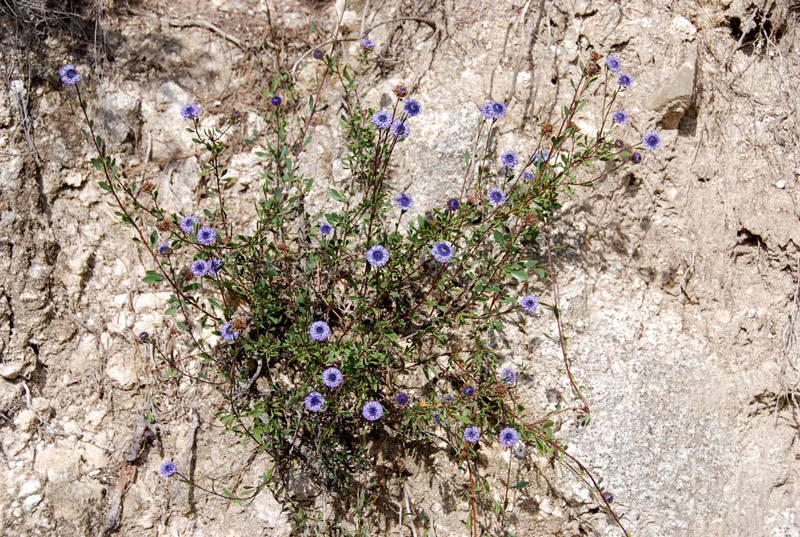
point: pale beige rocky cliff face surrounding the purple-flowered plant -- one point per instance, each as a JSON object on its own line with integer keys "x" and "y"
{"x": 679, "y": 280}
